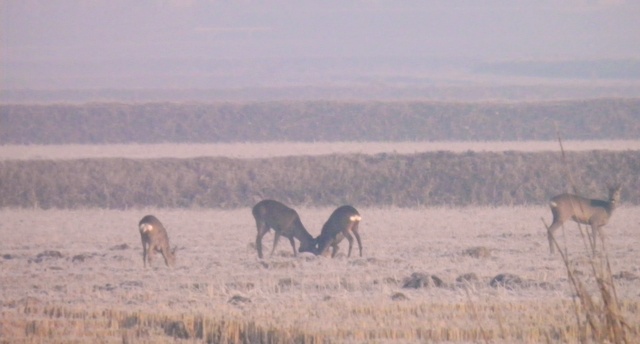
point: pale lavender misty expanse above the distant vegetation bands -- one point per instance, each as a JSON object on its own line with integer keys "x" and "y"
{"x": 185, "y": 44}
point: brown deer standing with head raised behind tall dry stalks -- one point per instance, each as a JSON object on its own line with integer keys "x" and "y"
{"x": 592, "y": 212}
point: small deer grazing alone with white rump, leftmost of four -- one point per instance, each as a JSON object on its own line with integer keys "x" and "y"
{"x": 154, "y": 238}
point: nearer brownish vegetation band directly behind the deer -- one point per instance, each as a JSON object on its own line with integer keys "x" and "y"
{"x": 425, "y": 179}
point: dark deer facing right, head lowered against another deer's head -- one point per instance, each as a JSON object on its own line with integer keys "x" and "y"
{"x": 284, "y": 221}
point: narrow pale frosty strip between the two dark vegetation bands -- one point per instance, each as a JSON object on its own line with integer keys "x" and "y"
{"x": 276, "y": 149}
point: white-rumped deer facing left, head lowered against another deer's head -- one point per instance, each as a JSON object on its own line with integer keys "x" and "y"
{"x": 341, "y": 224}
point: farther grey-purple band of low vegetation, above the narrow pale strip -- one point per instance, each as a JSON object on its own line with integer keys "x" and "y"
{"x": 311, "y": 121}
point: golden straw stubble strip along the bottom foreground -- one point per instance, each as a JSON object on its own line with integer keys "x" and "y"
{"x": 533, "y": 322}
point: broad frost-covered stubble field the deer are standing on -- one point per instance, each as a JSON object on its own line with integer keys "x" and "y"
{"x": 77, "y": 275}
